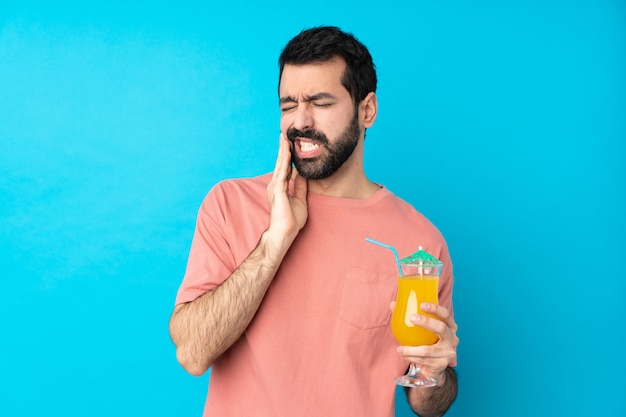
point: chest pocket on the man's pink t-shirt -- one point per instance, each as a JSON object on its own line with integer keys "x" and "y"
{"x": 366, "y": 296}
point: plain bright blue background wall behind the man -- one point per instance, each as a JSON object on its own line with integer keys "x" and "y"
{"x": 116, "y": 119}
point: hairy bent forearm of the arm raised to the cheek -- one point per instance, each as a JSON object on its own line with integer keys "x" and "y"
{"x": 205, "y": 328}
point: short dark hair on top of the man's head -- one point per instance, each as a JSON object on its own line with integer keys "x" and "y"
{"x": 323, "y": 43}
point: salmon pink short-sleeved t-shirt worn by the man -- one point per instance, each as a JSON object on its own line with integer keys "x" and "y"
{"x": 321, "y": 341}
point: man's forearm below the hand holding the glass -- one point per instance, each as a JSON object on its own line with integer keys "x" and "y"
{"x": 434, "y": 401}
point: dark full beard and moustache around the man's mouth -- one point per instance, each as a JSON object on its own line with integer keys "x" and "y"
{"x": 334, "y": 155}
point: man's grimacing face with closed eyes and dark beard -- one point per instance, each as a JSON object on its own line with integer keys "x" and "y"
{"x": 318, "y": 117}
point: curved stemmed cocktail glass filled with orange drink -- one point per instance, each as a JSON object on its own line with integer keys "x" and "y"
{"x": 418, "y": 284}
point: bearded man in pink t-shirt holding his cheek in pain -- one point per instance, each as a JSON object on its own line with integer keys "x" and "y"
{"x": 282, "y": 296}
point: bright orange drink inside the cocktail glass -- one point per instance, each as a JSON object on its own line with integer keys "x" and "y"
{"x": 414, "y": 290}
